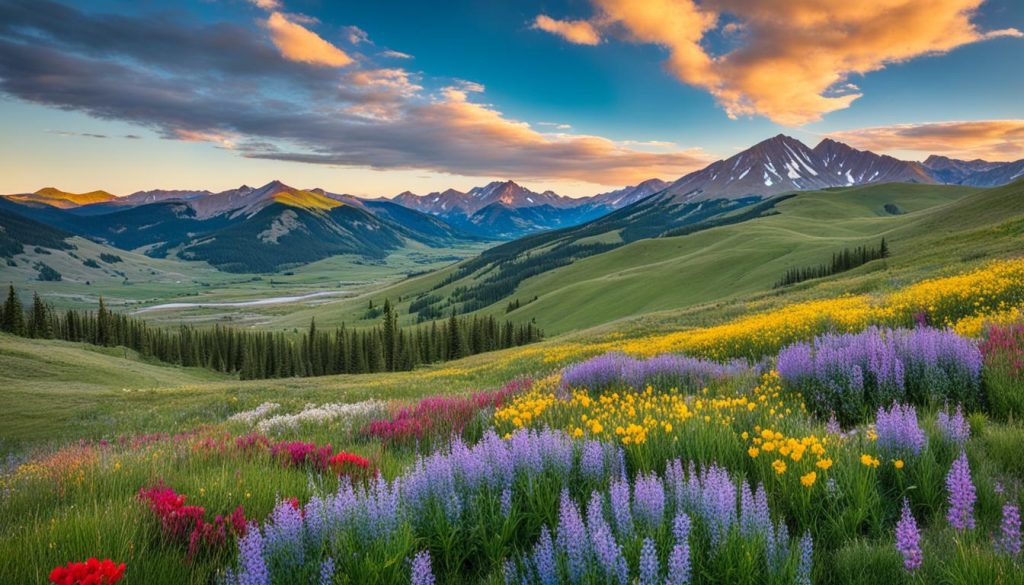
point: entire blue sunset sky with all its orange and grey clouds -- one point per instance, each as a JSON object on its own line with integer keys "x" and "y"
{"x": 373, "y": 99}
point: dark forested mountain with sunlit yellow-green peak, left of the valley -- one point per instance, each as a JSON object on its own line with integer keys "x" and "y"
{"x": 252, "y": 230}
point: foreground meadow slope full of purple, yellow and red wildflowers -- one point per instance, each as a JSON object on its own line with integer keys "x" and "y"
{"x": 848, "y": 441}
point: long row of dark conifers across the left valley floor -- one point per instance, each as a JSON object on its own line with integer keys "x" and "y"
{"x": 257, "y": 355}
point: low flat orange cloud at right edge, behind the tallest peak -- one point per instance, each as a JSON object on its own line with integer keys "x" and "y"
{"x": 991, "y": 140}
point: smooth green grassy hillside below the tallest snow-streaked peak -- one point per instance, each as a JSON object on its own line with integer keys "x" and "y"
{"x": 927, "y": 227}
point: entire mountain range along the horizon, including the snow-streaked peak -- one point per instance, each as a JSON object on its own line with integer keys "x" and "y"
{"x": 276, "y": 226}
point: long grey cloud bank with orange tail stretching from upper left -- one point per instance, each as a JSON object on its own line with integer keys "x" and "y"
{"x": 224, "y": 88}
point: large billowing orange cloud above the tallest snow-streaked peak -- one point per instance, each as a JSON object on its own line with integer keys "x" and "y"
{"x": 797, "y": 56}
